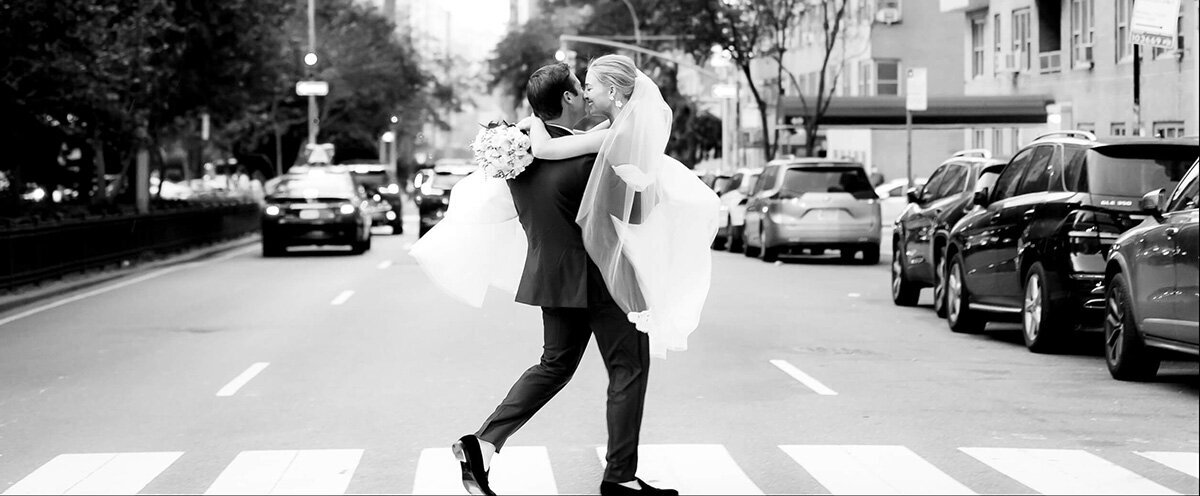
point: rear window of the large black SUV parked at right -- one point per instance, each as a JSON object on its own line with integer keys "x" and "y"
{"x": 1132, "y": 171}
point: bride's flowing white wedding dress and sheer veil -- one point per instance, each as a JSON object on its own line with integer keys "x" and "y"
{"x": 640, "y": 208}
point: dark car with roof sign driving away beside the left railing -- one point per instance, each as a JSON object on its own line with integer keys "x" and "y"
{"x": 316, "y": 208}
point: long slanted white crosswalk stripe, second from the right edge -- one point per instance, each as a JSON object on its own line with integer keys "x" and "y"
{"x": 1066, "y": 473}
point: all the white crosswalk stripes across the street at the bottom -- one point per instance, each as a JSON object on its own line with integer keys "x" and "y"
{"x": 693, "y": 469}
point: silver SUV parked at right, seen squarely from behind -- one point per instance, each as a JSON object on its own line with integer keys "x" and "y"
{"x": 813, "y": 205}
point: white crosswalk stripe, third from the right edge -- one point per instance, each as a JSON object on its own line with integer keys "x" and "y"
{"x": 874, "y": 470}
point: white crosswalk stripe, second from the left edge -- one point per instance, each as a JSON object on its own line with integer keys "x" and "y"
{"x": 289, "y": 473}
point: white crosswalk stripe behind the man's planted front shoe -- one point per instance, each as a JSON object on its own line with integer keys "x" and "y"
{"x": 692, "y": 469}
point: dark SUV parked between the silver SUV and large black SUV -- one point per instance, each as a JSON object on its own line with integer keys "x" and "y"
{"x": 921, "y": 234}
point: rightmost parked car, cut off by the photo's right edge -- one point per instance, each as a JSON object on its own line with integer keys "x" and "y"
{"x": 1154, "y": 285}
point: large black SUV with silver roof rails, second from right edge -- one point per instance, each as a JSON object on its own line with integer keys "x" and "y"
{"x": 1036, "y": 249}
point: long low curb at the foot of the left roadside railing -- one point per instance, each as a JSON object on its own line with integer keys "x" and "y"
{"x": 74, "y": 283}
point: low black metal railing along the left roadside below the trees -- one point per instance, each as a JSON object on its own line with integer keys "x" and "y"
{"x": 31, "y": 254}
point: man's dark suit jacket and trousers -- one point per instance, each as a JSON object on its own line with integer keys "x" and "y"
{"x": 562, "y": 279}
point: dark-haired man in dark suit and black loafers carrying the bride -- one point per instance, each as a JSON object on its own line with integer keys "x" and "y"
{"x": 562, "y": 279}
